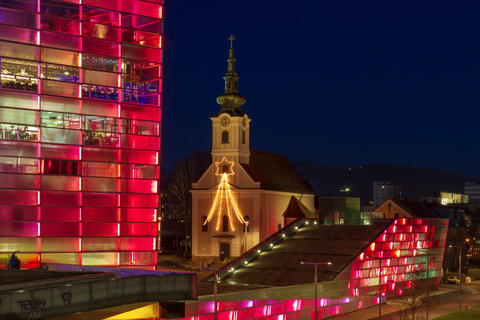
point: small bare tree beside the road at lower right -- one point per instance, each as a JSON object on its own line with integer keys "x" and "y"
{"x": 416, "y": 293}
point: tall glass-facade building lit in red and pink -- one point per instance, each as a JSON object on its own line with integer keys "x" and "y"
{"x": 80, "y": 113}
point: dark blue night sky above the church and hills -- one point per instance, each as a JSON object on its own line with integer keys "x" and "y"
{"x": 333, "y": 82}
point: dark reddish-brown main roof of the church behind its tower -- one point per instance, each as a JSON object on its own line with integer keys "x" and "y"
{"x": 276, "y": 173}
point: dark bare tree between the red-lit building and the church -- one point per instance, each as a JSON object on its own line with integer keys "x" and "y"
{"x": 187, "y": 171}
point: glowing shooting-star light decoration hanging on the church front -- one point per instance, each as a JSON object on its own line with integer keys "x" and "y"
{"x": 224, "y": 169}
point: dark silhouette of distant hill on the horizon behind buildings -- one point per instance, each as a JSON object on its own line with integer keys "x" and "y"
{"x": 330, "y": 180}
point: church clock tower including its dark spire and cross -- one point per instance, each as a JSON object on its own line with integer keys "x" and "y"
{"x": 230, "y": 126}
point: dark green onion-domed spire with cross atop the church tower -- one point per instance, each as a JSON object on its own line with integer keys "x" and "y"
{"x": 231, "y": 101}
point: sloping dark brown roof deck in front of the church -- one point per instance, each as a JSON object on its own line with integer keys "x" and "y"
{"x": 338, "y": 244}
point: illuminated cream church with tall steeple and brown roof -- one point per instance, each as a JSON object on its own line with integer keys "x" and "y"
{"x": 245, "y": 195}
